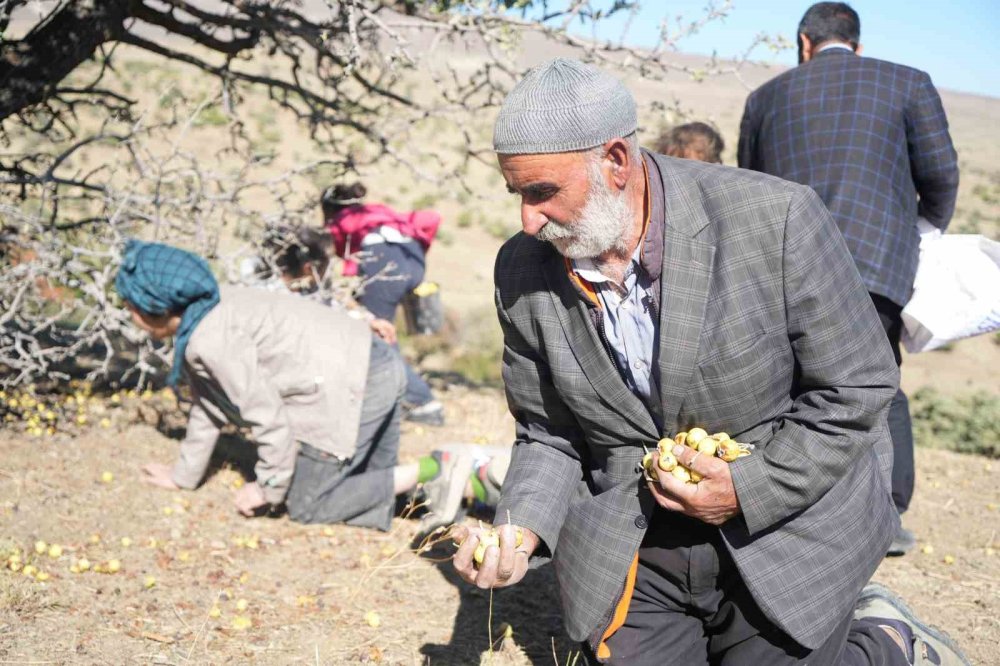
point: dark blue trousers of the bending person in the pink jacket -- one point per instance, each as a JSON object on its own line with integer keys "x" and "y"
{"x": 391, "y": 271}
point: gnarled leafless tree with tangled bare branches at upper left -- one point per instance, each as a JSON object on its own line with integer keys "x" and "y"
{"x": 85, "y": 162}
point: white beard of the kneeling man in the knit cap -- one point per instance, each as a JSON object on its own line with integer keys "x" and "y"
{"x": 602, "y": 225}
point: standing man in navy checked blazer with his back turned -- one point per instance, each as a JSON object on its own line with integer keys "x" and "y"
{"x": 871, "y": 138}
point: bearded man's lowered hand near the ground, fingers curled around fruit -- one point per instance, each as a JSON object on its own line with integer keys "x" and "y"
{"x": 501, "y": 567}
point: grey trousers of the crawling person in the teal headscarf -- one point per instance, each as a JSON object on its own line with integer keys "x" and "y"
{"x": 358, "y": 491}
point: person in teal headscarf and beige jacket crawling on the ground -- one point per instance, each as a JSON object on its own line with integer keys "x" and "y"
{"x": 319, "y": 394}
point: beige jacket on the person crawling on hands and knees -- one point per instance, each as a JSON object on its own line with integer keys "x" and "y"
{"x": 289, "y": 369}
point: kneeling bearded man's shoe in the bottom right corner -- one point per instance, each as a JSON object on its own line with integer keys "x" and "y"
{"x": 922, "y": 643}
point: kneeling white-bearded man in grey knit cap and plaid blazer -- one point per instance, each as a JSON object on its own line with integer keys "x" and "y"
{"x": 647, "y": 295}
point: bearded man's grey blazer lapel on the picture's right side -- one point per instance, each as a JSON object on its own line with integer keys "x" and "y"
{"x": 684, "y": 287}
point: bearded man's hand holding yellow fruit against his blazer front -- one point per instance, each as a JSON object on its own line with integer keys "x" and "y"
{"x": 712, "y": 500}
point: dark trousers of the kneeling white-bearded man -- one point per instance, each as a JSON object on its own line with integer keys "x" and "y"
{"x": 690, "y": 607}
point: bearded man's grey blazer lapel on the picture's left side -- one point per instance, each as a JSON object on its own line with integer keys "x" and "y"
{"x": 586, "y": 345}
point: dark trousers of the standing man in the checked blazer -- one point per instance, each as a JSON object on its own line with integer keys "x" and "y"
{"x": 900, "y": 426}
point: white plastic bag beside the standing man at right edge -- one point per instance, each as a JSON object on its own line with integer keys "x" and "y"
{"x": 956, "y": 293}
